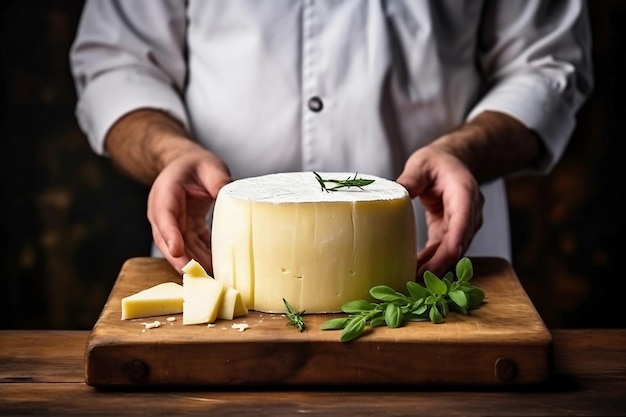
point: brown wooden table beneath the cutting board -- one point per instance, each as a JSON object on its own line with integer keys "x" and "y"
{"x": 42, "y": 373}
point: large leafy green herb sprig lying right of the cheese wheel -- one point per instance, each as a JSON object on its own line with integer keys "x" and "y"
{"x": 432, "y": 302}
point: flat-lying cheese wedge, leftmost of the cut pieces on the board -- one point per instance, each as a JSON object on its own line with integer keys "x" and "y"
{"x": 161, "y": 299}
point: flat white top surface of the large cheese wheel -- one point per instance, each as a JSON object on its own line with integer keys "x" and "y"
{"x": 303, "y": 187}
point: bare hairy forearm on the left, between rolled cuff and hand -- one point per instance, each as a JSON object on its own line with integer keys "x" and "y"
{"x": 143, "y": 142}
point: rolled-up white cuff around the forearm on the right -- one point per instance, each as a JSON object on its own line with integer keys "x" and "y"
{"x": 539, "y": 106}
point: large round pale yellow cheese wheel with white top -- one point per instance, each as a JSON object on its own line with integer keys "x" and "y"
{"x": 282, "y": 236}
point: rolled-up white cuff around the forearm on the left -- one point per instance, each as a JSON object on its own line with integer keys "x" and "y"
{"x": 112, "y": 95}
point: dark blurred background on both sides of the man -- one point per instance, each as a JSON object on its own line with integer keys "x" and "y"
{"x": 69, "y": 220}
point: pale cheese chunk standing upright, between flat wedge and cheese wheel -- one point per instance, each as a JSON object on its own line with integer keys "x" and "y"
{"x": 202, "y": 298}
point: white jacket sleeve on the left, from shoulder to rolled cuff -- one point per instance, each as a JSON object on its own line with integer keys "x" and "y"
{"x": 128, "y": 55}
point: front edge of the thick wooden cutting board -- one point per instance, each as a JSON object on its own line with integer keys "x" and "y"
{"x": 124, "y": 365}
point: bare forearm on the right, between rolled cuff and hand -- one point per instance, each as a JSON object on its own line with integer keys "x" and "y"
{"x": 492, "y": 145}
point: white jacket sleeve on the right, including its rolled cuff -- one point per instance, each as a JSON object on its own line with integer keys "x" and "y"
{"x": 536, "y": 59}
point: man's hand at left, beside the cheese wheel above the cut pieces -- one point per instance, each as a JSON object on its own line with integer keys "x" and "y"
{"x": 178, "y": 203}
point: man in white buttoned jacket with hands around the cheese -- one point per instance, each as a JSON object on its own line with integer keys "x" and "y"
{"x": 445, "y": 97}
